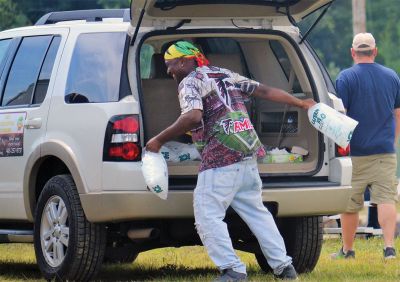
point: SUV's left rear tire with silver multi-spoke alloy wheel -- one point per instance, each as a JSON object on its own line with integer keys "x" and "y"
{"x": 67, "y": 246}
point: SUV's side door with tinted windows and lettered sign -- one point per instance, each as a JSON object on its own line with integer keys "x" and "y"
{"x": 27, "y": 79}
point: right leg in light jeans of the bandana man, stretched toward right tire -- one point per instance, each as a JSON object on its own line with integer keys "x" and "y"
{"x": 248, "y": 204}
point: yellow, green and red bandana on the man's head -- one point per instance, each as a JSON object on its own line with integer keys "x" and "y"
{"x": 184, "y": 49}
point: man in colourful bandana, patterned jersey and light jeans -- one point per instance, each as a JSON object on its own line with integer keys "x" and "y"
{"x": 212, "y": 103}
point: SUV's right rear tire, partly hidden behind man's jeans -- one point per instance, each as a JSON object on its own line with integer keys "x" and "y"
{"x": 303, "y": 240}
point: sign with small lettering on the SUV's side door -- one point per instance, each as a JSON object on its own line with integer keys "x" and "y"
{"x": 12, "y": 134}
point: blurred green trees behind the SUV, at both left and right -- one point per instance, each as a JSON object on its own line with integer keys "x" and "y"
{"x": 331, "y": 38}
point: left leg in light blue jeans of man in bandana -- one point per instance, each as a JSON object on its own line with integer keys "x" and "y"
{"x": 213, "y": 194}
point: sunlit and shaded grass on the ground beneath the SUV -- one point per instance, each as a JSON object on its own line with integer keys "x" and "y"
{"x": 17, "y": 263}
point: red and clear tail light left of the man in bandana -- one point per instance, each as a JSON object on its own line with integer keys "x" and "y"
{"x": 121, "y": 142}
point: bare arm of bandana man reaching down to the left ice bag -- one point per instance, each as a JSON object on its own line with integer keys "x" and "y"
{"x": 182, "y": 125}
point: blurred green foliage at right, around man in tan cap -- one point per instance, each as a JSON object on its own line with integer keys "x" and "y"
{"x": 333, "y": 35}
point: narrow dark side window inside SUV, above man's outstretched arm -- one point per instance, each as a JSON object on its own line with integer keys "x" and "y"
{"x": 286, "y": 65}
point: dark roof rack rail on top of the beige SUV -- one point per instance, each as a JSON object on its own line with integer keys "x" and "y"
{"x": 95, "y": 15}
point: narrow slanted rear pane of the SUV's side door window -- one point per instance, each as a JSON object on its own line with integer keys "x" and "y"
{"x": 45, "y": 73}
